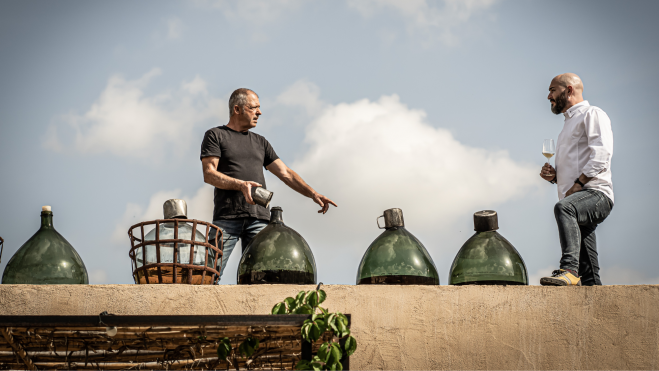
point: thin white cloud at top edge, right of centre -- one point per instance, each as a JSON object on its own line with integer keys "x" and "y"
{"x": 425, "y": 18}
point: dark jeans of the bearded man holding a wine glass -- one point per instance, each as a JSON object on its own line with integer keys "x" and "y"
{"x": 577, "y": 217}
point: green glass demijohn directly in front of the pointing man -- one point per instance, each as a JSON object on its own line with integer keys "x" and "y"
{"x": 277, "y": 254}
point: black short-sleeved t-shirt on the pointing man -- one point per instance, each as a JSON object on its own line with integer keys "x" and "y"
{"x": 242, "y": 156}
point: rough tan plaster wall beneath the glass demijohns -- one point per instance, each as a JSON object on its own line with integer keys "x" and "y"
{"x": 414, "y": 327}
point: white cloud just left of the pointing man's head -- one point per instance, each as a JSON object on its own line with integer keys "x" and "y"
{"x": 124, "y": 121}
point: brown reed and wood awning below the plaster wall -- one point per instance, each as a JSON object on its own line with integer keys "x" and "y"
{"x": 150, "y": 342}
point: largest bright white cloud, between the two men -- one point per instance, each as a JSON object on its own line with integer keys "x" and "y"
{"x": 366, "y": 152}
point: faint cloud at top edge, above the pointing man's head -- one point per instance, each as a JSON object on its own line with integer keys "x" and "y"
{"x": 254, "y": 11}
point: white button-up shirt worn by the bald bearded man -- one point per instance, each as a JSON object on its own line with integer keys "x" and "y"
{"x": 585, "y": 146}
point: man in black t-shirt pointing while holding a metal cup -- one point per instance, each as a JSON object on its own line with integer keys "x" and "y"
{"x": 233, "y": 159}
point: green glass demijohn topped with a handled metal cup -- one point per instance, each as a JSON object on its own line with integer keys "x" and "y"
{"x": 396, "y": 257}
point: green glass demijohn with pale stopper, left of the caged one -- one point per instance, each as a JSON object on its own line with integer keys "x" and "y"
{"x": 46, "y": 258}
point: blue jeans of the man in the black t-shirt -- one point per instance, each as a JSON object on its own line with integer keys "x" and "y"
{"x": 233, "y": 229}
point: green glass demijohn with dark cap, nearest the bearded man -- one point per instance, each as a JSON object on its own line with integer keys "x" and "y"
{"x": 487, "y": 258}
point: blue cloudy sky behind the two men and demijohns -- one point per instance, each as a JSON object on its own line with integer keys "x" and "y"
{"x": 436, "y": 107}
